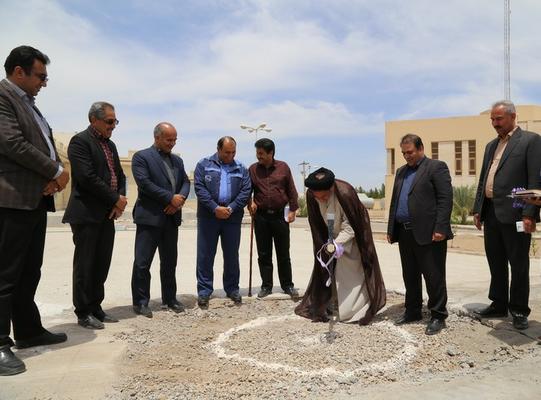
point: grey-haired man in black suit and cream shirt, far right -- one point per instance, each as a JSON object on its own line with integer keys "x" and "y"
{"x": 512, "y": 160}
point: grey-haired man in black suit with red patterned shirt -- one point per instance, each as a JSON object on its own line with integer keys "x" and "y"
{"x": 97, "y": 198}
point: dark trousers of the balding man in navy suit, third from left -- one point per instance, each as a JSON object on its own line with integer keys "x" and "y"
{"x": 147, "y": 240}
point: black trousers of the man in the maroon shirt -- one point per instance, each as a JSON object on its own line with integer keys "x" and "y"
{"x": 269, "y": 227}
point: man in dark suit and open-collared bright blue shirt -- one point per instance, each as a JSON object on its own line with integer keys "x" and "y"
{"x": 419, "y": 219}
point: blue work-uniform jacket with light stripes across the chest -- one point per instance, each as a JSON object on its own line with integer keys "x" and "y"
{"x": 207, "y": 188}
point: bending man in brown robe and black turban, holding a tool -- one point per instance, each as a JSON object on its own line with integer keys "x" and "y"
{"x": 357, "y": 280}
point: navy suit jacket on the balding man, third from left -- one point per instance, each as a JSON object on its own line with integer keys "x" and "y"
{"x": 154, "y": 191}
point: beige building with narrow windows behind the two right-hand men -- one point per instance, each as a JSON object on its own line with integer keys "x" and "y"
{"x": 459, "y": 141}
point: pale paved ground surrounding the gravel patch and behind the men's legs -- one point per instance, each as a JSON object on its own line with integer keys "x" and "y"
{"x": 85, "y": 366}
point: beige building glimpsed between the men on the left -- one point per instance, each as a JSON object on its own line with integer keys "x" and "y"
{"x": 61, "y": 199}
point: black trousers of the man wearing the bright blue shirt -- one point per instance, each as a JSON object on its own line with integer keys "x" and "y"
{"x": 427, "y": 261}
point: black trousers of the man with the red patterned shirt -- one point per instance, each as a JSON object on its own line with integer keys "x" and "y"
{"x": 91, "y": 262}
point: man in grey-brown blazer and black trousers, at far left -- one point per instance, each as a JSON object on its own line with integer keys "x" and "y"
{"x": 30, "y": 173}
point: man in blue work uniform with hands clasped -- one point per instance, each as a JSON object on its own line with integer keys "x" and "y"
{"x": 222, "y": 186}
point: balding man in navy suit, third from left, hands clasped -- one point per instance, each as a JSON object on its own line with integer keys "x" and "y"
{"x": 163, "y": 187}
